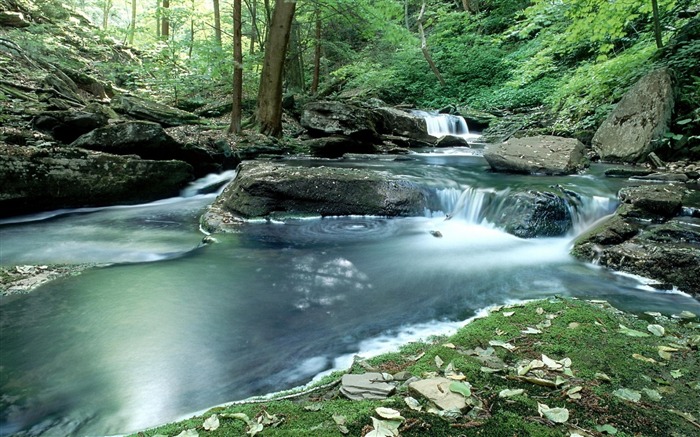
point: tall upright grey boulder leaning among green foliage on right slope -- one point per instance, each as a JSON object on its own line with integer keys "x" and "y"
{"x": 640, "y": 118}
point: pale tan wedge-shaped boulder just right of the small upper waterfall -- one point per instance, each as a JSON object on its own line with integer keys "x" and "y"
{"x": 537, "y": 155}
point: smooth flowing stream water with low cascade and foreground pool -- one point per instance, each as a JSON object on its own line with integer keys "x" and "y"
{"x": 169, "y": 326}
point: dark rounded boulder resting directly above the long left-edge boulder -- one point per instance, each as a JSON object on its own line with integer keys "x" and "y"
{"x": 146, "y": 139}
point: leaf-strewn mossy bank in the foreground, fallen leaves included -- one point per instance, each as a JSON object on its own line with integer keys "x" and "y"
{"x": 555, "y": 367}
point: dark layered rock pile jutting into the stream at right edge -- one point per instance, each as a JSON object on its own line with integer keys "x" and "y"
{"x": 646, "y": 238}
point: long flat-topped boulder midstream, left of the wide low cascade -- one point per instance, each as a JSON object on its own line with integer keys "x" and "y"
{"x": 264, "y": 188}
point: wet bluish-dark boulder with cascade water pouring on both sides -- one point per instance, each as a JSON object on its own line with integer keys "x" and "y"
{"x": 529, "y": 214}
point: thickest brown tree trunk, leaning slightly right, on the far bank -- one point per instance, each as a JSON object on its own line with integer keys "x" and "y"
{"x": 269, "y": 111}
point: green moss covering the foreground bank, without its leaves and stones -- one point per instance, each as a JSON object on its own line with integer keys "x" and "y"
{"x": 588, "y": 334}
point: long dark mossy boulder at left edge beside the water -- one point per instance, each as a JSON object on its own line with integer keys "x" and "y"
{"x": 36, "y": 179}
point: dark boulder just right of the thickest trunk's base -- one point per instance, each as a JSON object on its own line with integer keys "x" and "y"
{"x": 327, "y": 118}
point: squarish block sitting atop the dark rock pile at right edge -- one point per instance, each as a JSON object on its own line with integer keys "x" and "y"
{"x": 663, "y": 200}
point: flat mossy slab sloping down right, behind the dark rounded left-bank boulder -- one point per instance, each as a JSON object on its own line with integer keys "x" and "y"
{"x": 142, "y": 109}
